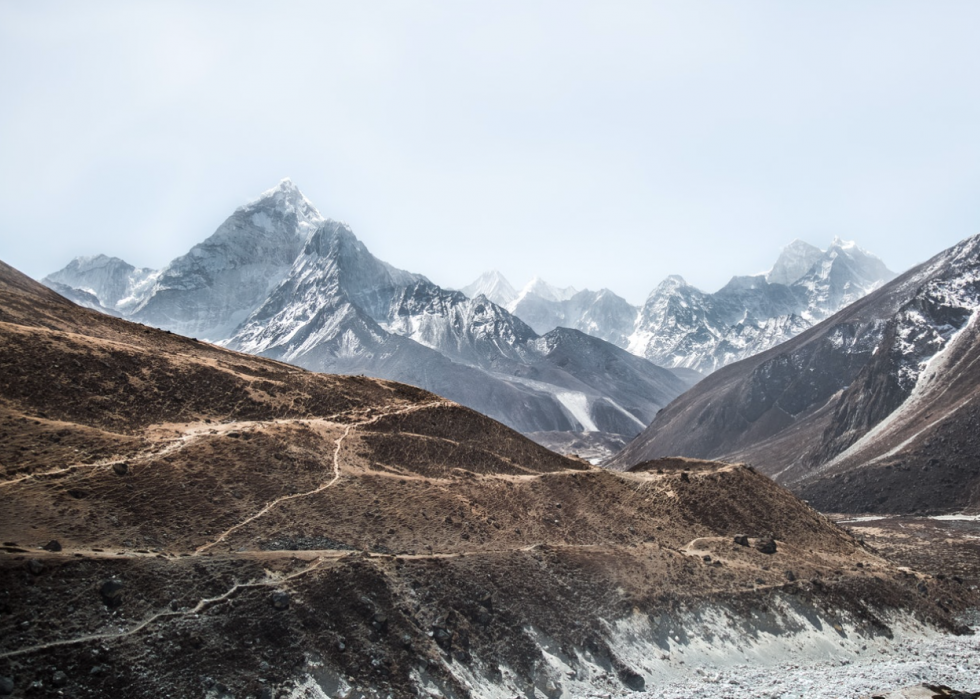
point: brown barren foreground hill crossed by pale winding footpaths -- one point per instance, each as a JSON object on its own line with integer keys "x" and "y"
{"x": 181, "y": 520}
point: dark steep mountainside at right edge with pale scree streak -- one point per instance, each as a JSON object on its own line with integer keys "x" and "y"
{"x": 873, "y": 409}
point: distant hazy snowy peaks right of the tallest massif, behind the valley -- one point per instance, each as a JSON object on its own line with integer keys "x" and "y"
{"x": 680, "y": 326}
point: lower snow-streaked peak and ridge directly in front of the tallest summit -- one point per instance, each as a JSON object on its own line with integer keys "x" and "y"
{"x": 340, "y": 309}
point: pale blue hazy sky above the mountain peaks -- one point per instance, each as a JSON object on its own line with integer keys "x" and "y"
{"x": 596, "y": 144}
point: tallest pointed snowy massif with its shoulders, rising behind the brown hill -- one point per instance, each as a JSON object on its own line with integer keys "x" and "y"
{"x": 278, "y": 279}
